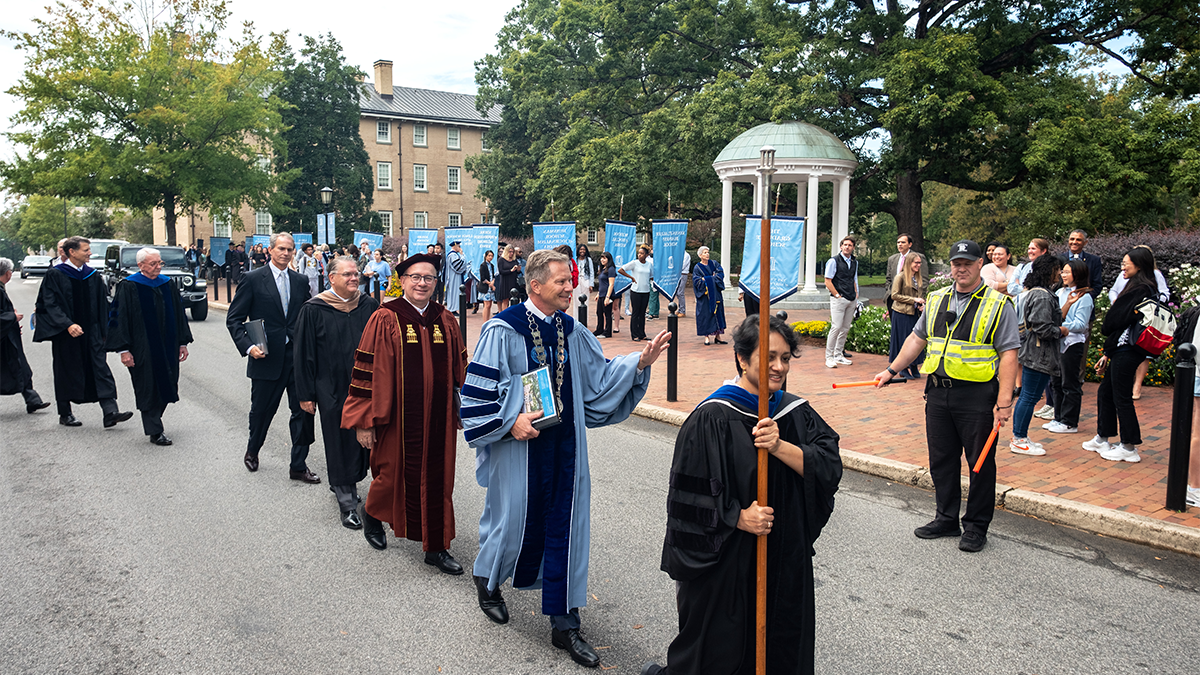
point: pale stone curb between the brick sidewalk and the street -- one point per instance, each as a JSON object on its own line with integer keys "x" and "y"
{"x": 1099, "y": 521}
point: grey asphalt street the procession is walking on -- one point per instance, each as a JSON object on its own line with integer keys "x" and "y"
{"x": 121, "y": 557}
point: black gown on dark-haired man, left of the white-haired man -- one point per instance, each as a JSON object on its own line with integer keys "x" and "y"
{"x": 69, "y": 296}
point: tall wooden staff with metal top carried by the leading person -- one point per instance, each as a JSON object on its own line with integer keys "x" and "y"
{"x": 766, "y": 169}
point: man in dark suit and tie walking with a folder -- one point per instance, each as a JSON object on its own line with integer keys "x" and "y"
{"x": 275, "y": 295}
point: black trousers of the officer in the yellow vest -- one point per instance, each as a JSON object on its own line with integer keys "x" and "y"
{"x": 958, "y": 421}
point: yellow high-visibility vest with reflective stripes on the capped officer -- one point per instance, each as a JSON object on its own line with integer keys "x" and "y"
{"x": 968, "y": 343}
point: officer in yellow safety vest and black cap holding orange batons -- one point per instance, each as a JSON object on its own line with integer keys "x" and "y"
{"x": 971, "y": 334}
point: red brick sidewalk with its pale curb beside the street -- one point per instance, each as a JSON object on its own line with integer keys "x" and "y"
{"x": 884, "y": 434}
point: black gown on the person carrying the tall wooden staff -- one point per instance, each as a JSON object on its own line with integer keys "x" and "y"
{"x": 713, "y": 477}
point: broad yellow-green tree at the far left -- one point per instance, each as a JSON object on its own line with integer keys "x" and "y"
{"x": 147, "y": 106}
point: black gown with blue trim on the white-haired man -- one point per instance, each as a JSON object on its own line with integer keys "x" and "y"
{"x": 148, "y": 320}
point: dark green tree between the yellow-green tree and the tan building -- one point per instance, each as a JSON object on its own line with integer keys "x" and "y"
{"x": 322, "y": 134}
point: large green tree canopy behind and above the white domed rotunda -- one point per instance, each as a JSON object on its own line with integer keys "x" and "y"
{"x": 637, "y": 98}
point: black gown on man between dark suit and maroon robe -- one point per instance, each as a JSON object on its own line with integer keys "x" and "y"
{"x": 326, "y": 339}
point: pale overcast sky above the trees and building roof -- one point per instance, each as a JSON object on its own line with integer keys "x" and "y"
{"x": 433, "y": 45}
